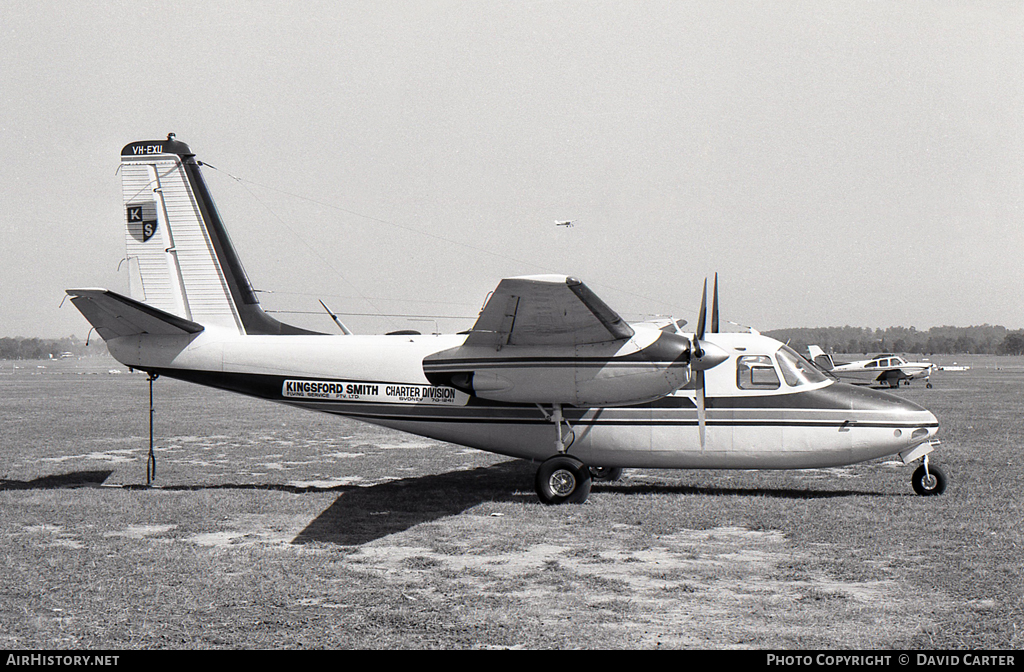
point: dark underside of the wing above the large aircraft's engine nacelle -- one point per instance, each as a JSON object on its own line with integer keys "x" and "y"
{"x": 546, "y": 311}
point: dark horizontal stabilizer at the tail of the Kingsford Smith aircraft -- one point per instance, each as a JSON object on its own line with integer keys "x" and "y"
{"x": 115, "y": 316}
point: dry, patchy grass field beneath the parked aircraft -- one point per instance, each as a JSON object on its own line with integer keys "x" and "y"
{"x": 275, "y": 528}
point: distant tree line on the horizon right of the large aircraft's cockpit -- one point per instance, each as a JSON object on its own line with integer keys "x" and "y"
{"x": 987, "y": 340}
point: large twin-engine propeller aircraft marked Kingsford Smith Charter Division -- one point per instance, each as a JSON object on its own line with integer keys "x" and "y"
{"x": 549, "y": 372}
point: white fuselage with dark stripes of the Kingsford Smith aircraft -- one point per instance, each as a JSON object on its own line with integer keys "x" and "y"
{"x": 380, "y": 380}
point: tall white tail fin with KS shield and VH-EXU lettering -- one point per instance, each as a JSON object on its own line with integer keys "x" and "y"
{"x": 181, "y": 261}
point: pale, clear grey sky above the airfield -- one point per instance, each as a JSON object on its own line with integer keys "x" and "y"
{"x": 837, "y": 163}
